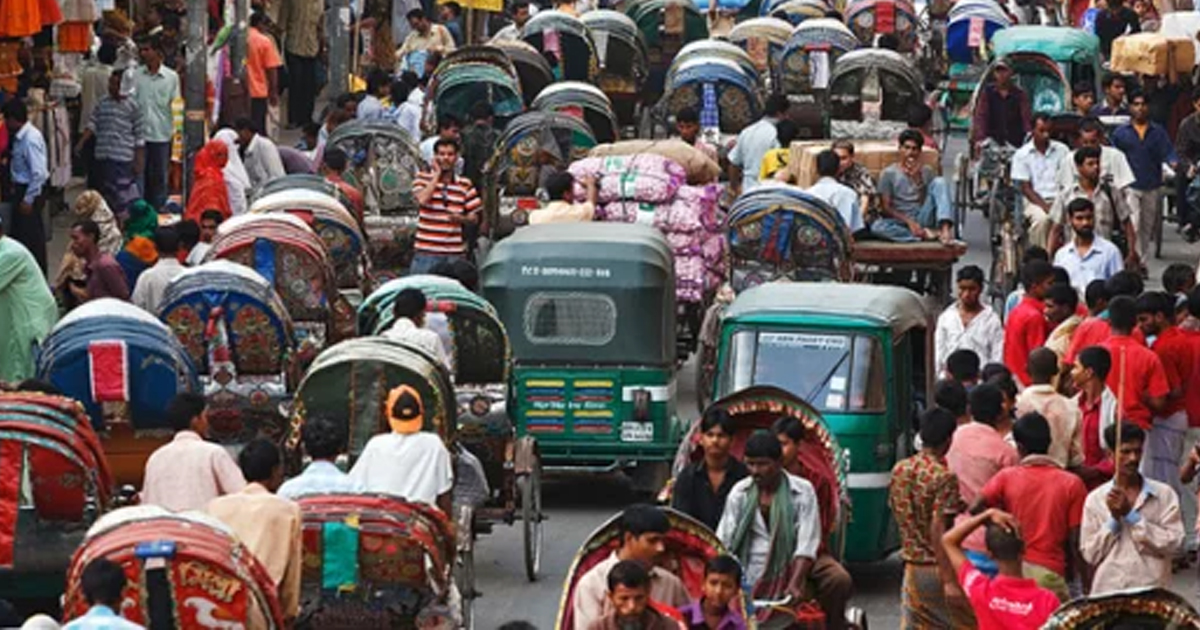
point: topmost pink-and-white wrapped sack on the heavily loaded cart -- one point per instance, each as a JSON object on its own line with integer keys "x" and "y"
{"x": 639, "y": 178}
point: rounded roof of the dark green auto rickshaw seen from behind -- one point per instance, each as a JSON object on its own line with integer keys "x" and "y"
{"x": 620, "y": 244}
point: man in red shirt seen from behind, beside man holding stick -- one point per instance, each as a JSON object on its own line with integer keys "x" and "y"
{"x": 1047, "y": 501}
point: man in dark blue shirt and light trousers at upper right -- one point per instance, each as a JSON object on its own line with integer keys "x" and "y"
{"x": 1147, "y": 147}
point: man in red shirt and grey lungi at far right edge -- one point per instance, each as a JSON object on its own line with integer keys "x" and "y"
{"x": 1177, "y": 352}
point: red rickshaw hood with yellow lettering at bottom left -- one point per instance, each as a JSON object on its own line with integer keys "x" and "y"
{"x": 182, "y": 571}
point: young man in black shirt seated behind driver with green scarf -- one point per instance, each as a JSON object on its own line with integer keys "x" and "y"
{"x": 700, "y": 490}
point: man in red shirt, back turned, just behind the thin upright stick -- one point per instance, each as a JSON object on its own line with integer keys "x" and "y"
{"x": 1145, "y": 381}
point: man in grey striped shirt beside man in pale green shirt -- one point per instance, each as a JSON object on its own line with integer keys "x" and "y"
{"x": 121, "y": 143}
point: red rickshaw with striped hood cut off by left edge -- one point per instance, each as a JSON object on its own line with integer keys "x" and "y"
{"x": 47, "y": 445}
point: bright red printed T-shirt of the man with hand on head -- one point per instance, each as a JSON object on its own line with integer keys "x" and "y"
{"x": 1006, "y": 603}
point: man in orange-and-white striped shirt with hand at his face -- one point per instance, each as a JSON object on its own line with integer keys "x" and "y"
{"x": 448, "y": 203}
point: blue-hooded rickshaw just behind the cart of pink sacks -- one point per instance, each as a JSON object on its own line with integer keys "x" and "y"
{"x": 736, "y": 86}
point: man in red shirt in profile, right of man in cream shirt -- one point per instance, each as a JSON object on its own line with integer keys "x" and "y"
{"x": 1097, "y": 410}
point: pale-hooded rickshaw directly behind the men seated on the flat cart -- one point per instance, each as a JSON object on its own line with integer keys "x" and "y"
{"x": 871, "y": 93}
